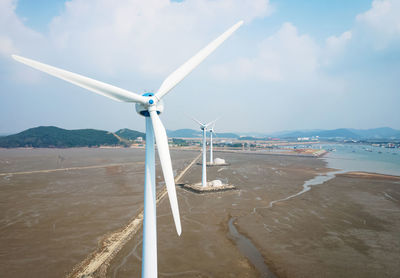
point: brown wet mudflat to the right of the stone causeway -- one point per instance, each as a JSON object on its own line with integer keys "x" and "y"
{"x": 345, "y": 227}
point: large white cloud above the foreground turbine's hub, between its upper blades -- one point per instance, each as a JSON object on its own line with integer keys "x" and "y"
{"x": 151, "y": 37}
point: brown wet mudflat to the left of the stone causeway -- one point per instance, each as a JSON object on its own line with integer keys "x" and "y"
{"x": 51, "y": 220}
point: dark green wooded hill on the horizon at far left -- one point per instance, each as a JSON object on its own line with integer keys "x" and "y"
{"x": 54, "y": 137}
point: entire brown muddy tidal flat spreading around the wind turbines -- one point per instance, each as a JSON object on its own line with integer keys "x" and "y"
{"x": 347, "y": 226}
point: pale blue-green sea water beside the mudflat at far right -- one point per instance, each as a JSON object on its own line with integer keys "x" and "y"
{"x": 366, "y": 158}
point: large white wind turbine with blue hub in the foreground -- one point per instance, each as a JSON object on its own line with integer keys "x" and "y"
{"x": 150, "y": 106}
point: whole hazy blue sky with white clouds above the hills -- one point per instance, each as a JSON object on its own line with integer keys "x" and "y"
{"x": 293, "y": 64}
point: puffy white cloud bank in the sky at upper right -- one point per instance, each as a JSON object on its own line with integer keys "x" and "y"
{"x": 287, "y": 55}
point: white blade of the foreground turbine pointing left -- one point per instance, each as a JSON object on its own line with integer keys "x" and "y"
{"x": 98, "y": 87}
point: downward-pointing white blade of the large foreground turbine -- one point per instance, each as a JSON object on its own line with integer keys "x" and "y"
{"x": 165, "y": 159}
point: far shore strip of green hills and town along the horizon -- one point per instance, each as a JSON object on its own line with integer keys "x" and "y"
{"x": 55, "y": 137}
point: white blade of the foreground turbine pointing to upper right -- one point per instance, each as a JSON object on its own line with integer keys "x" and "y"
{"x": 178, "y": 75}
